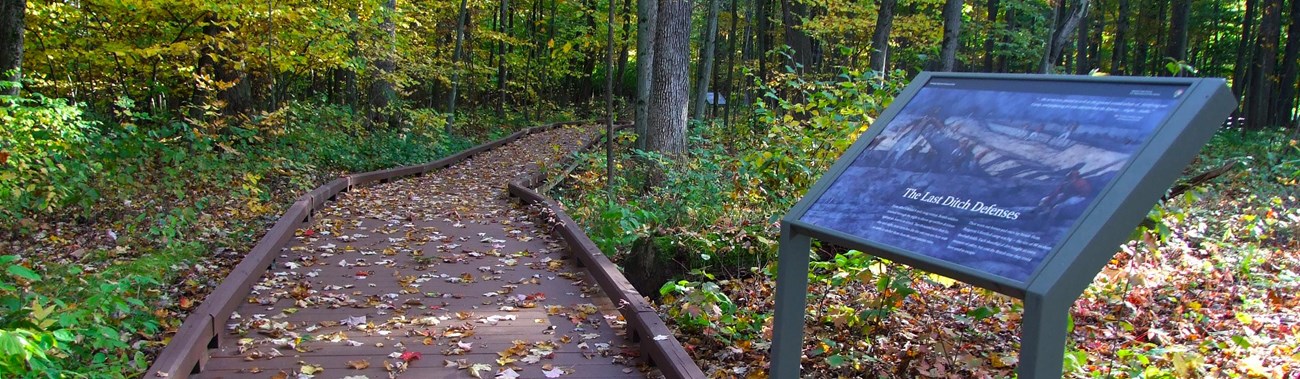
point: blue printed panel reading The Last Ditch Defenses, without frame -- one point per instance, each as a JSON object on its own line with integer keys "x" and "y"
{"x": 991, "y": 177}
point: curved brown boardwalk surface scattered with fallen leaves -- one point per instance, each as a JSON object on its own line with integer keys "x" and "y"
{"x": 428, "y": 277}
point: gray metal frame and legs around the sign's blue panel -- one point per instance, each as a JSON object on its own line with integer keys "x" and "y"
{"x": 1065, "y": 272}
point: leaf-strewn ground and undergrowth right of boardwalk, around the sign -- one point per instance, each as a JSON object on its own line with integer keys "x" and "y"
{"x": 1207, "y": 289}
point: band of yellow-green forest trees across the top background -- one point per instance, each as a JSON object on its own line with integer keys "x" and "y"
{"x": 200, "y": 60}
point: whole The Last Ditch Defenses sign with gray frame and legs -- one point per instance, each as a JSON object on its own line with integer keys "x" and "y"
{"x": 1024, "y": 185}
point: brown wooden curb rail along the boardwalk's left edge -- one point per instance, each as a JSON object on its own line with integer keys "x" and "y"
{"x": 188, "y": 351}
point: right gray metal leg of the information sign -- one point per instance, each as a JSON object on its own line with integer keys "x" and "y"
{"x": 1043, "y": 337}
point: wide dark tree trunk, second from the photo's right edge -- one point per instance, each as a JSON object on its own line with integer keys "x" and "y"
{"x": 1260, "y": 115}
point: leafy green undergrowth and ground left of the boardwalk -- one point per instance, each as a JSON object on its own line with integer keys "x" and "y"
{"x": 115, "y": 226}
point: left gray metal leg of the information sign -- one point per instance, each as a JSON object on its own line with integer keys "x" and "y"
{"x": 792, "y": 284}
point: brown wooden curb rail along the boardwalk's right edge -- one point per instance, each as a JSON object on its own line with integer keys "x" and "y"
{"x": 644, "y": 323}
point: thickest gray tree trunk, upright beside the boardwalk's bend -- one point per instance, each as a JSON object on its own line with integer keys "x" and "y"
{"x": 668, "y": 129}
